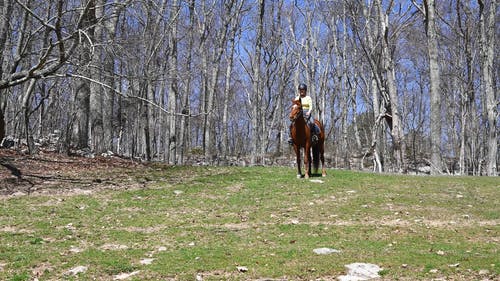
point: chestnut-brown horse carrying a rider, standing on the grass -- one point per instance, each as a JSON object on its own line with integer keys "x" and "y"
{"x": 301, "y": 136}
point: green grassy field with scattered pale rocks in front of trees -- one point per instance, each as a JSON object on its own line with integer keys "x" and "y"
{"x": 183, "y": 223}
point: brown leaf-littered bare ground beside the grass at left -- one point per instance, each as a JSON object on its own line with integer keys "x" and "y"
{"x": 49, "y": 172}
